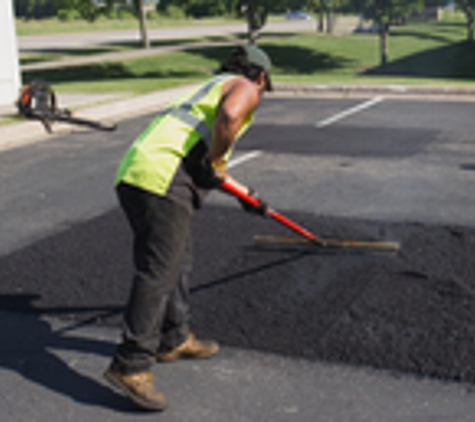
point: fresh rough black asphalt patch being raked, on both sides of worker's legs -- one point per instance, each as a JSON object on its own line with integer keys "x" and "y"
{"x": 414, "y": 312}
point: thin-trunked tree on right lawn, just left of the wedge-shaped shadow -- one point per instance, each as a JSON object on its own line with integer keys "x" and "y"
{"x": 384, "y": 13}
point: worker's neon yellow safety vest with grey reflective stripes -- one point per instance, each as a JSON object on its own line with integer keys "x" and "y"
{"x": 154, "y": 157}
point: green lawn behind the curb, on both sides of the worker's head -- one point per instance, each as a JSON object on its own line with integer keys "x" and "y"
{"x": 434, "y": 53}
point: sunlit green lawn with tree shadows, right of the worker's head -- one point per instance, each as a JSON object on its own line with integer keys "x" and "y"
{"x": 418, "y": 53}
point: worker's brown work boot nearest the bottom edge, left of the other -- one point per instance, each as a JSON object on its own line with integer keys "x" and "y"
{"x": 139, "y": 387}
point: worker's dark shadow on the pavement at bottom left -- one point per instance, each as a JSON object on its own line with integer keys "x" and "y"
{"x": 30, "y": 347}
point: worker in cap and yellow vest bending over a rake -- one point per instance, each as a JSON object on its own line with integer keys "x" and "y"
{"x": 162, "y": 179}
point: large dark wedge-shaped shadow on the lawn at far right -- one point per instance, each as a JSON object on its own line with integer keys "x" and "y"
{"x": 455, "y": 61}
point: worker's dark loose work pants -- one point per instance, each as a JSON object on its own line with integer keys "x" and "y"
{"x": 157, "y": 314}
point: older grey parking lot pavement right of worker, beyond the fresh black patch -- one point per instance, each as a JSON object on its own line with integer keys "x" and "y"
{"x": 397, "y": 160}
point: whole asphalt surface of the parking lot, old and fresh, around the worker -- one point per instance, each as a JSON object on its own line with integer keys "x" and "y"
{"x": 308, "y": 335}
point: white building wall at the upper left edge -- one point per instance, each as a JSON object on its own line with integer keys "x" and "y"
{"x": 9, "y": 68}
